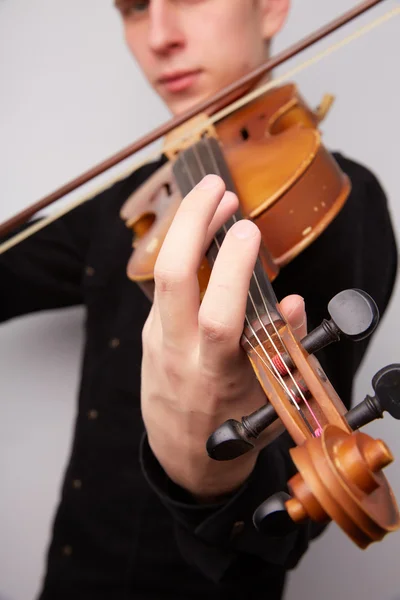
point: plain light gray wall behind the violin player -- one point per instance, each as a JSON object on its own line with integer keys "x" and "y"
{"x": 71, "y": 96}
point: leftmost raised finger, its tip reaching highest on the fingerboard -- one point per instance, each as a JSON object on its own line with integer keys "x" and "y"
{"x": 175, "y": 272}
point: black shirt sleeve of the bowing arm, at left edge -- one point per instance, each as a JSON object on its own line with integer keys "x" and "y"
{"x": 46, "y": 270}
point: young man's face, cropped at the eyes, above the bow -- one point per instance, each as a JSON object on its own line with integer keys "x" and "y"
{"x": 189, "y": 49}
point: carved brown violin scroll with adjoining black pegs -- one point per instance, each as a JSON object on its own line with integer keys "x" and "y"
{"x": 341, "y": 475}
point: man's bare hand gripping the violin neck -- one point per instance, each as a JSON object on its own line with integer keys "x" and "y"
{"x": 195, "y": 374}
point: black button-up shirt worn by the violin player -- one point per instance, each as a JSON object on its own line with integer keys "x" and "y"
{"x": 122, "y": 529}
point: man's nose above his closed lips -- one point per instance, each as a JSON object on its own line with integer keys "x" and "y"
{"x": 165, "y": 33}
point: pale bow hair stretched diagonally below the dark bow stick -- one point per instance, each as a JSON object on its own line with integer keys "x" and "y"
{"x": 14, "y": 240}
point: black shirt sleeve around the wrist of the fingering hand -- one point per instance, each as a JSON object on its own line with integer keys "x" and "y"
{"x": 220, "y": 539}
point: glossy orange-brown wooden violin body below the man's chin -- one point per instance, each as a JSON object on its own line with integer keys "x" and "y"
{"x": 286, "y": 181}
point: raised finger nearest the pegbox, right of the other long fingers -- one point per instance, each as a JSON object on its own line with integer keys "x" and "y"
{"x": 222, "y": 313}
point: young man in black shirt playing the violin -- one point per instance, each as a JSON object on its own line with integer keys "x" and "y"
{"x": 150, "y": 516}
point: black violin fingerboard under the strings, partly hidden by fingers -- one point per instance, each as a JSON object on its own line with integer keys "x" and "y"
{"x": 203, "y": 158}
